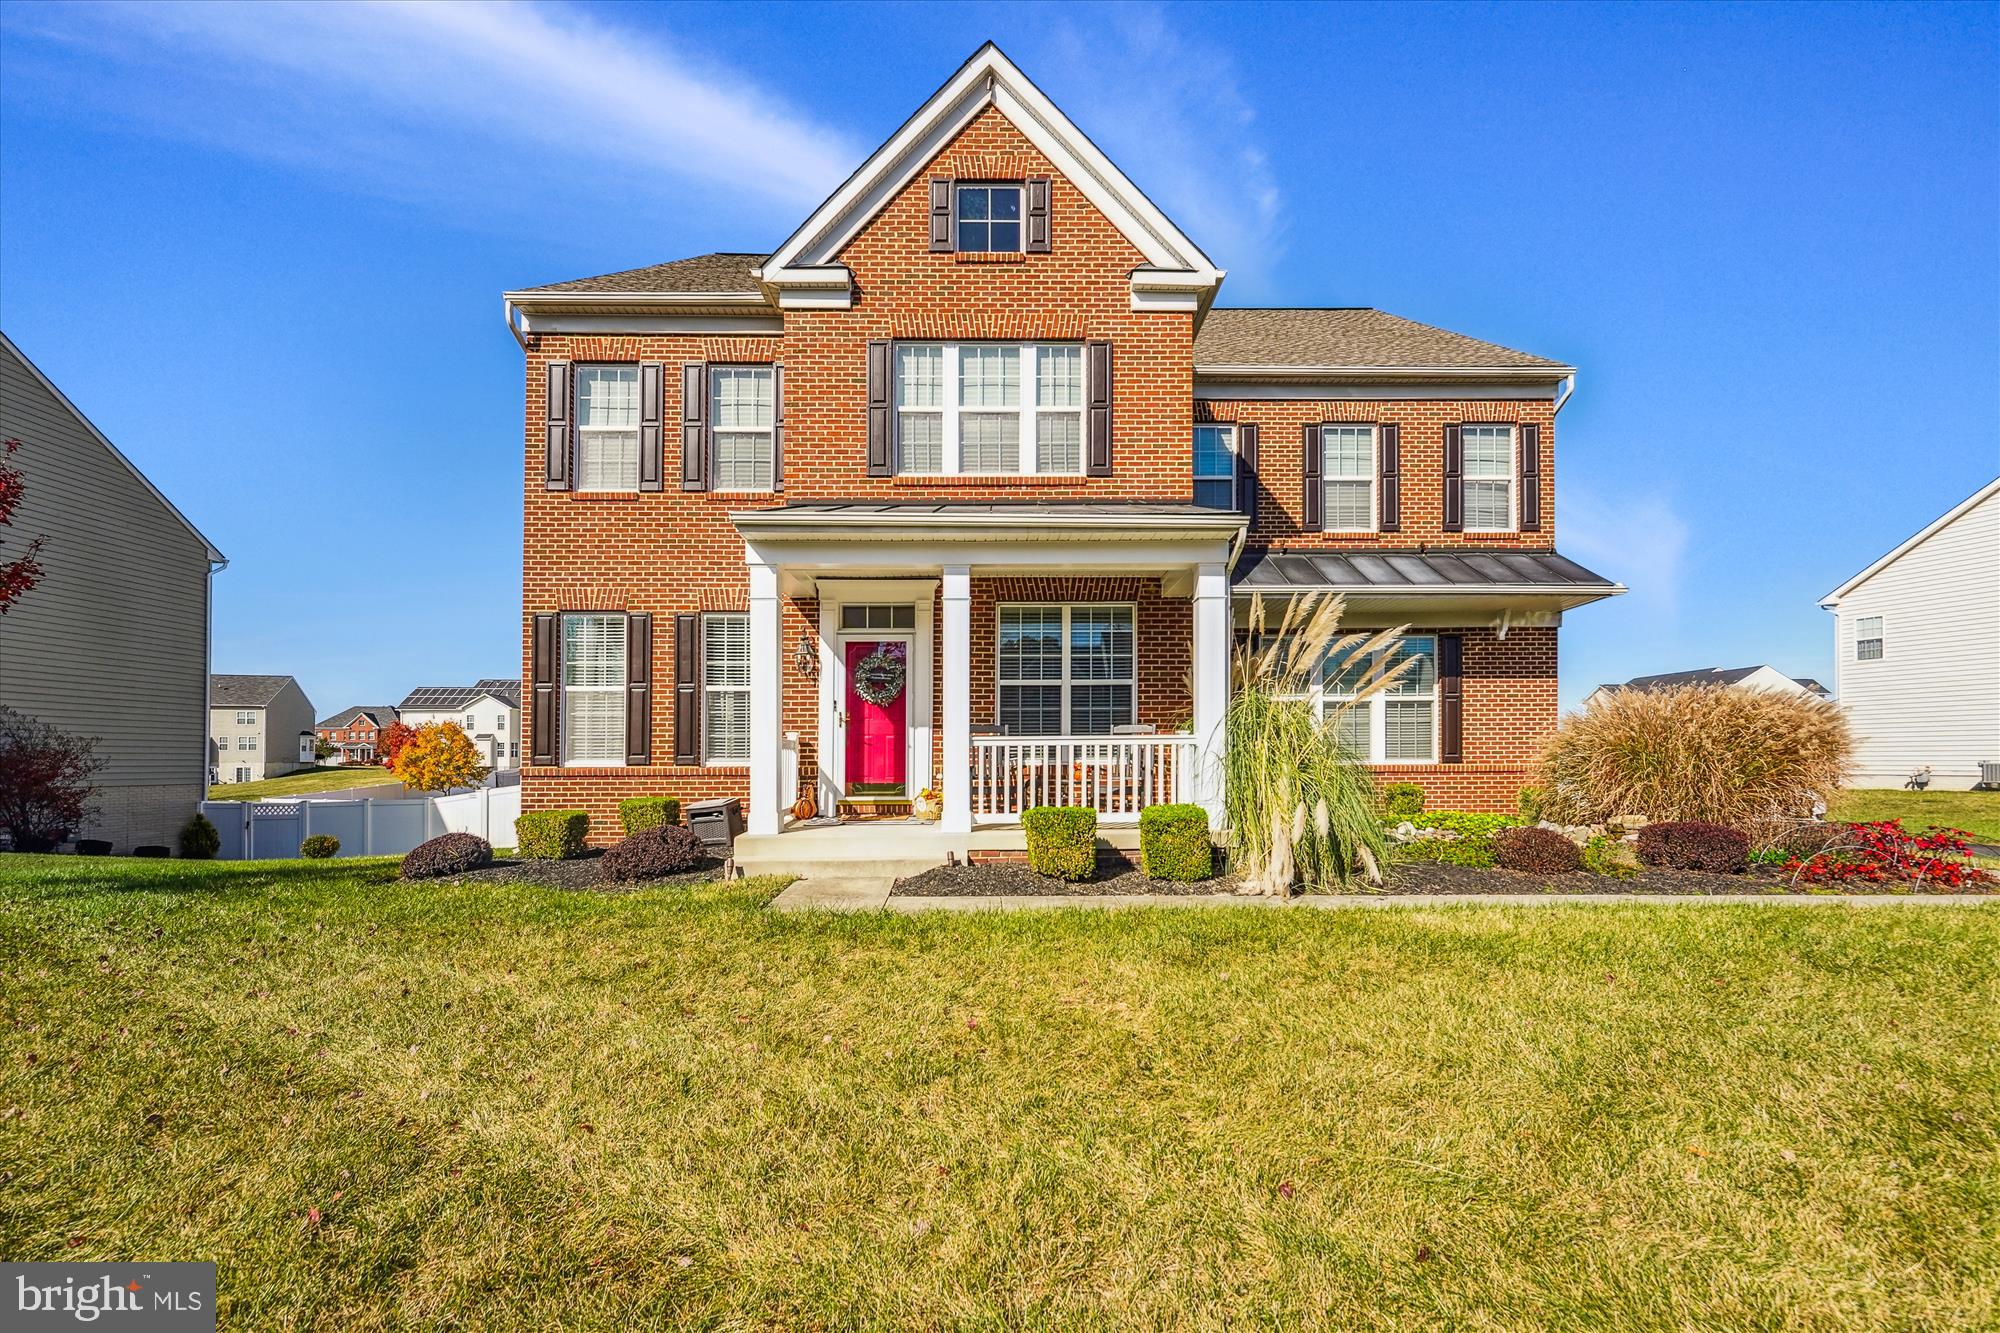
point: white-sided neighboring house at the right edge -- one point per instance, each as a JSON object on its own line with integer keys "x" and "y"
{"x": 1917, "y": 651}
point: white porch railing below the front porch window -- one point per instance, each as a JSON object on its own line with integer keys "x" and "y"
{"x": 1113, "y": 776}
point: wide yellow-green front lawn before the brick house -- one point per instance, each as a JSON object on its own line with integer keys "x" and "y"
{"x": 515, "y": 1108}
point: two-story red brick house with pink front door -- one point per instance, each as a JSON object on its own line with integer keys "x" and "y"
{"x": 969, "y": 485}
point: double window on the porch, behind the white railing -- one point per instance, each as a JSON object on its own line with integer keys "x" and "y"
{"x": 1067, "y": 670}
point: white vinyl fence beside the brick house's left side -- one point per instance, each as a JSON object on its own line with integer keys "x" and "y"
{"x": 273, "y": 830}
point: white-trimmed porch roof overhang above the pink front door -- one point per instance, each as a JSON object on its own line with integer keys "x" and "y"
{"x": 997, "y": 539}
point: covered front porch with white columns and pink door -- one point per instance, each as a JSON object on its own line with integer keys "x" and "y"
{"x": 997, "y": 655}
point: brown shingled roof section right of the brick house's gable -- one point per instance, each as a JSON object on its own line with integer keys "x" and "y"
{"x": 1351, "y": 339}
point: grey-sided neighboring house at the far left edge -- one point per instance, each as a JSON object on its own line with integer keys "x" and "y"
{"x": 115, "y": 639}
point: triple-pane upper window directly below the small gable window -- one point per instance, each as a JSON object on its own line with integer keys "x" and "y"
{"x": 989, "y": 407}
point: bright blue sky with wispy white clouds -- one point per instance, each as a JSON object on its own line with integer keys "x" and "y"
{"x": 265, "y": 251}
